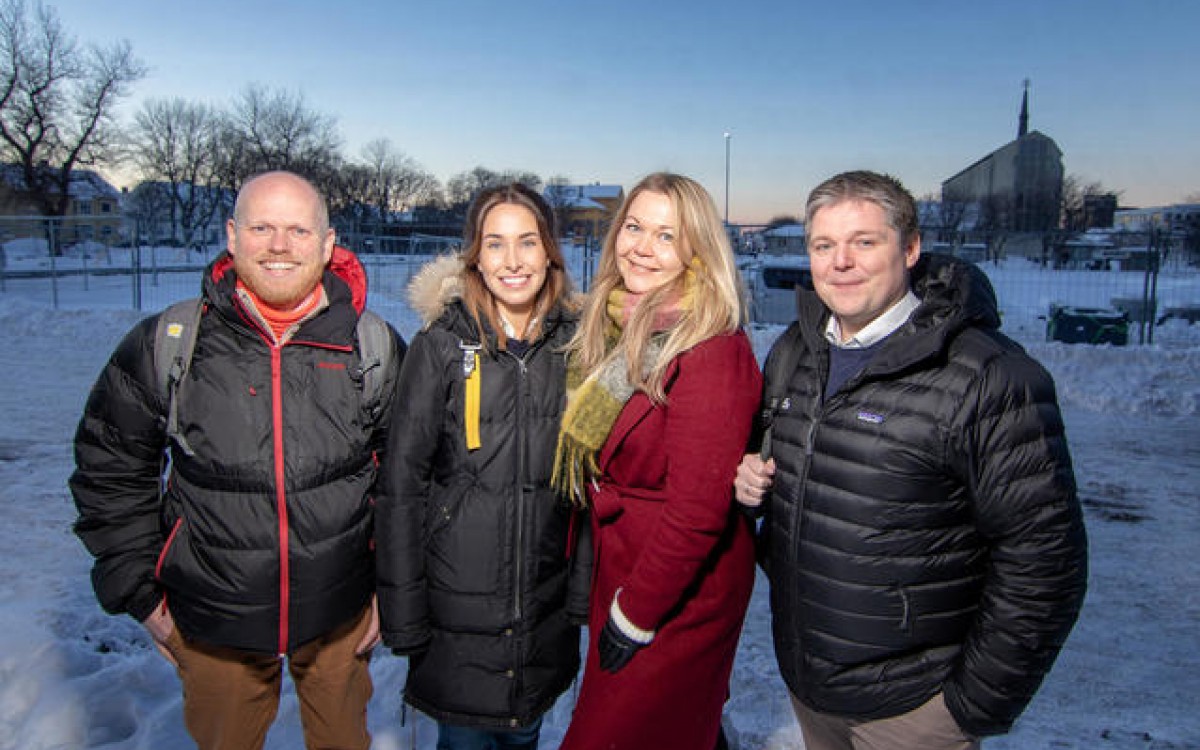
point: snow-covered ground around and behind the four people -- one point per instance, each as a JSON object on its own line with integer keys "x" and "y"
{"x": 73, "y": 677}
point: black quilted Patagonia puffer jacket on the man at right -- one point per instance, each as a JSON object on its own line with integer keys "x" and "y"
{"x": 923, "y": 533}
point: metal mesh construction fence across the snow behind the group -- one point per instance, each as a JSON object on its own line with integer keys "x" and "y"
{"x": 1037, "y": 302}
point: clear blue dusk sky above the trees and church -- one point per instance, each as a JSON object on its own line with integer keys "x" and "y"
{"x": 609, "y": 92}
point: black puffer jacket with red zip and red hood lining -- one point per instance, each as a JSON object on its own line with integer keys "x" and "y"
{"x": 263, "y": 538}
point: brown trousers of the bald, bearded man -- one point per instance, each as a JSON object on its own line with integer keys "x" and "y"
{"x": 231, "y": 697}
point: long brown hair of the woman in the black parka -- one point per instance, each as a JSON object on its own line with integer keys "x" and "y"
{"x": 476, "y": 295}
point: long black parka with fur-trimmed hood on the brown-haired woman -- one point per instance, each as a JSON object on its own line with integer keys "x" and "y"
{"x": 483, "y": 569}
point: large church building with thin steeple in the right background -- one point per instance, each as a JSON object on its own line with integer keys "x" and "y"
{"x": 1018, "y": 188}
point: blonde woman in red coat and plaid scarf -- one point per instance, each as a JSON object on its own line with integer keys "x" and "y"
{"x": 664, "y": 387}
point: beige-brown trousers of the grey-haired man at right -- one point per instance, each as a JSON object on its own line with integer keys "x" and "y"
{"x": 927, "y": 728}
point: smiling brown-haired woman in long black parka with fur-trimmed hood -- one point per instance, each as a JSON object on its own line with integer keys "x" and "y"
{"x": 481, "y": 574}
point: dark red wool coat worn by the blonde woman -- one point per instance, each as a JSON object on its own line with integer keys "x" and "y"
{"x": 668, "y": 536}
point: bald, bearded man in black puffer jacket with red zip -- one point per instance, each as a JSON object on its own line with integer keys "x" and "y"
{"x": 260, "y": 547}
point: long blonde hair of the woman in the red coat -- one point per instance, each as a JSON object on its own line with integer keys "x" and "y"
{"x": 717, "y": 304}
